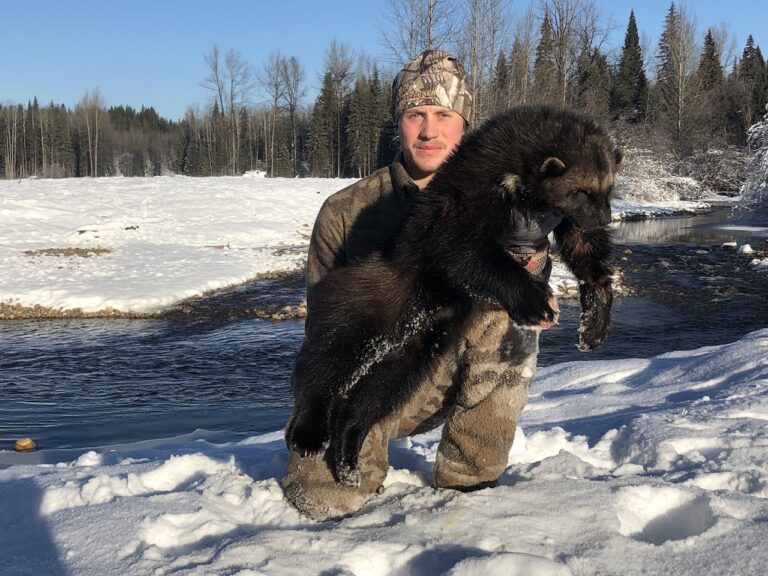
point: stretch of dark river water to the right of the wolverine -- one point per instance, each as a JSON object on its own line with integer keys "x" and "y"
{"x": 687, "y": 291}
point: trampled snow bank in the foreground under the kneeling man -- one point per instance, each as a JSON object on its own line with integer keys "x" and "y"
{"x": 636, "y": 466}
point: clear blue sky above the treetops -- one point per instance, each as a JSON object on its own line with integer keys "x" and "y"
{"x": 150, "y": 52}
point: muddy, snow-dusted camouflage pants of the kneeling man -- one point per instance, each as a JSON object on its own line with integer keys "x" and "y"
{"x": 478, "y": 388}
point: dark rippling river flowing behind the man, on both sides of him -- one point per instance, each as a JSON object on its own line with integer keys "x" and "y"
{"x": 95, "y": 382}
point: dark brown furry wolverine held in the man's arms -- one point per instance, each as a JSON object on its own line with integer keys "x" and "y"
{"x": 380, "y": 324}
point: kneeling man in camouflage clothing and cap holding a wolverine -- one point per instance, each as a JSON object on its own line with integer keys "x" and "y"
{"x": 480, "y": 385}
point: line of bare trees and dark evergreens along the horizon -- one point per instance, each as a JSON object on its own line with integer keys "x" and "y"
{"x": 691, "y": 94}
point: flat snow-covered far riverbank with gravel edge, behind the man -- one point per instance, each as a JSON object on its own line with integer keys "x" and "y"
{"x": 144, "y": 247}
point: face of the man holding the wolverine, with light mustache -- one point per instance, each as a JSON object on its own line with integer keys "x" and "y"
{"x": 428, "y": 134}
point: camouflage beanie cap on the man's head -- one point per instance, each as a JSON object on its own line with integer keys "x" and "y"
{"x": 433, "y": 78}
